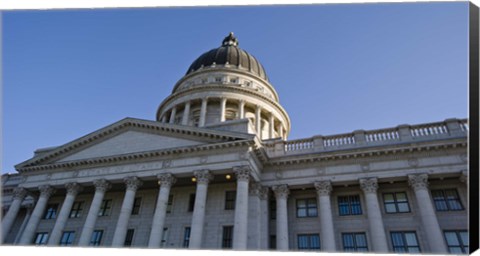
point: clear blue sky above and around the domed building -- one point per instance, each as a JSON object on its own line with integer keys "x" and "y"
{"x": 336, "y": 67}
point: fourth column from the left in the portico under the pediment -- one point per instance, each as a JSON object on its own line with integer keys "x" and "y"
{"x": 101, "y": 186}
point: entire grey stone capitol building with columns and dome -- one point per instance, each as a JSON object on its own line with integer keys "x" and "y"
{"x": 216, "y": 170}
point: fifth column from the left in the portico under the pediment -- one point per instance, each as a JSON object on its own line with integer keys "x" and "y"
{"x": 132, "y": 184}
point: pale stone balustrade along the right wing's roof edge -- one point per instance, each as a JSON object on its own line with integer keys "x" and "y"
{"x": 361, "y": 138}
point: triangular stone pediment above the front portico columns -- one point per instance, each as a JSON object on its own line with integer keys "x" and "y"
{"x": 132, "y": 136}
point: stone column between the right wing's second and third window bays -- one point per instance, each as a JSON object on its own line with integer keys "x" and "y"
{"x": 375, "y": 221}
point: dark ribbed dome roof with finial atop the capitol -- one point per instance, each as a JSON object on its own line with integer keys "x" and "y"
{"x": 229, "y": 52}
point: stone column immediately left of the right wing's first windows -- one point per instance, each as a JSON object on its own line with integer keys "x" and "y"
{"x": 281, "y": 195}
